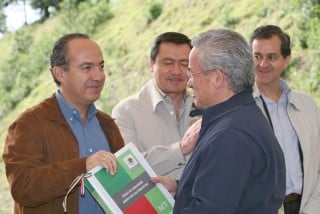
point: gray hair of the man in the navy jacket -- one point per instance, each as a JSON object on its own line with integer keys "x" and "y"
{"x": 229, "y": 52}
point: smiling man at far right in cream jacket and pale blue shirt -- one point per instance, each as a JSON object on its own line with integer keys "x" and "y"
{"x": 294, "y": 116}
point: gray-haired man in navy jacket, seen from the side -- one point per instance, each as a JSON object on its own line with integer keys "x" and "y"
{"x": 237, "y": 166}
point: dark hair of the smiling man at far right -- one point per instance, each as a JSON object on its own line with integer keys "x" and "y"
{"x": 267, "y": 31}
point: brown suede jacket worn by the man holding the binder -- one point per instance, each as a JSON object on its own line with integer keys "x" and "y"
{"x": 41, "y": 157}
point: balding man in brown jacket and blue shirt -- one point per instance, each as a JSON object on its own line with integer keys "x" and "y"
{"x": 64, "y": 136}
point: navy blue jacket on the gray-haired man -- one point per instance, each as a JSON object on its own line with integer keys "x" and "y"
{"x": 237, "y": 165}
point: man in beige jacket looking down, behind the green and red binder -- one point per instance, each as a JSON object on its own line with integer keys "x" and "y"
{"x": 156, "y": 118}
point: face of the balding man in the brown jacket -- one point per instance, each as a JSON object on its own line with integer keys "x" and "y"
{"x": 82, "y": 83}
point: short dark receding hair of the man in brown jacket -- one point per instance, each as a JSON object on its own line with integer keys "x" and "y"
{"x": 59, "y": 55}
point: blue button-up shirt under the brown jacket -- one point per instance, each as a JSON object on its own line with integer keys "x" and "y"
{"x": 90, "y": 138}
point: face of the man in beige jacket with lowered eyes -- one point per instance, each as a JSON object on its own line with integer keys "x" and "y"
{"x": 170, "y": 68}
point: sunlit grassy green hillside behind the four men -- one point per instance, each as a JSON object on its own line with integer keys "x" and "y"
{"x": 126, "y": 38}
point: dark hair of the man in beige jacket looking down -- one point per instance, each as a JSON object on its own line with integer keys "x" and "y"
{"x": 170, "y": 37}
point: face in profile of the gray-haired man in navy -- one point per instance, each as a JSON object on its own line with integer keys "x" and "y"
{"x": 201, "y": 84}
